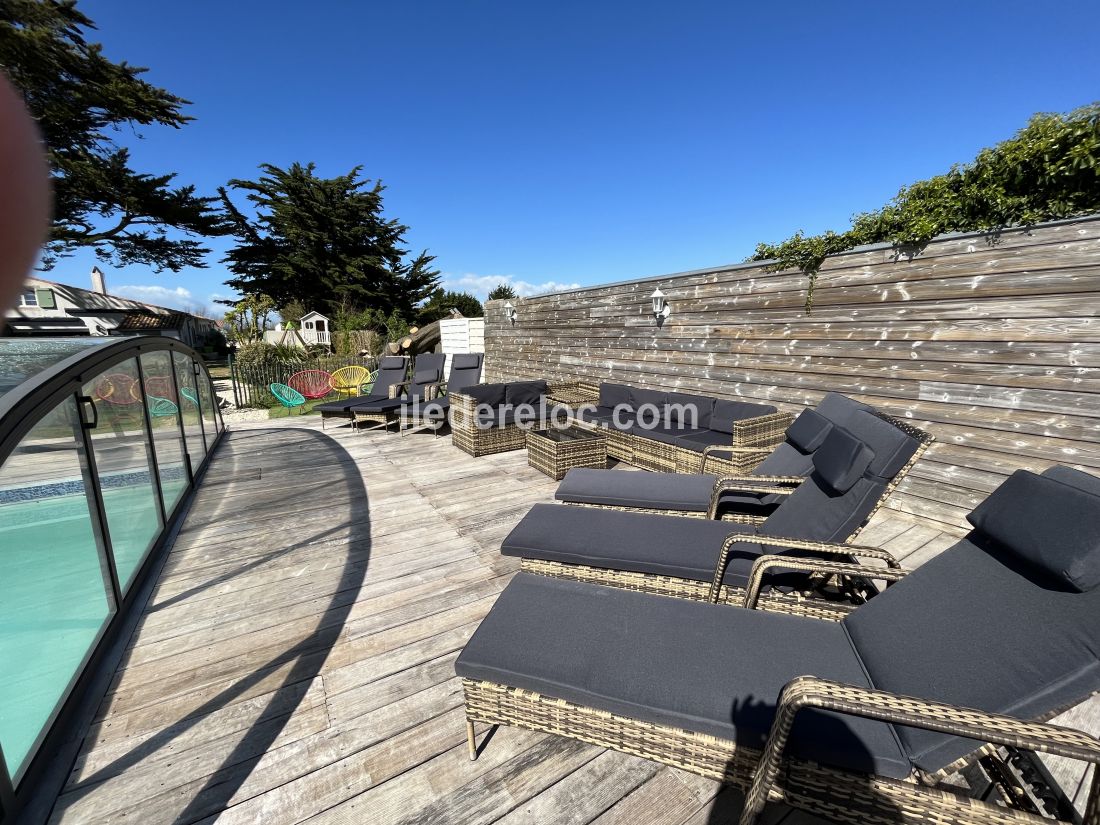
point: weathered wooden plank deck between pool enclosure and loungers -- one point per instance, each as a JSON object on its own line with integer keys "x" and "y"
{"x": 296, "y": 661}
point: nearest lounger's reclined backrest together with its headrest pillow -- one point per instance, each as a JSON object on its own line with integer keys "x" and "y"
{"x": 1007, "y": 621}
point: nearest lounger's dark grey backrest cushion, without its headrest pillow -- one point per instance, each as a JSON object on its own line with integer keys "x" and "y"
{"x": 972, "y": 628}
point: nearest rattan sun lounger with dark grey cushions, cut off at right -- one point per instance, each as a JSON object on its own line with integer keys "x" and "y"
{"x": 859, "y": 721}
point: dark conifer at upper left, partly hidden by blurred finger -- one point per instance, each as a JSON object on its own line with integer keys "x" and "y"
{"x": 80, "y": 98}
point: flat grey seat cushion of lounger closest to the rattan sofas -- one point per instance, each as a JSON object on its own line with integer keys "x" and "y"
{"x": 659, "y": 491}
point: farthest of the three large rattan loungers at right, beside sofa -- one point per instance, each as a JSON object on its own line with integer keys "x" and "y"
{"x": 696, "y": 494}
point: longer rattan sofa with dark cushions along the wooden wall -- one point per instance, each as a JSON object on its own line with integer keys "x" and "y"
{"x": 669, "y": 432}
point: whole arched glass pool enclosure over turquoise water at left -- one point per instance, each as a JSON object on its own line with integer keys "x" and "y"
{"x": 102, "y": 441}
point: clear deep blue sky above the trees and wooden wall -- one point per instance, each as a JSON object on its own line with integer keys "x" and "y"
{"x": 573, "y": 144}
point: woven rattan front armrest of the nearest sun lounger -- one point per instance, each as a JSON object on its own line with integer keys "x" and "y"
{"x": 810, "y": 692}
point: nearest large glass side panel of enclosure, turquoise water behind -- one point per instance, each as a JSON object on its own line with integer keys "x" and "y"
{"x": 53, "y": 588}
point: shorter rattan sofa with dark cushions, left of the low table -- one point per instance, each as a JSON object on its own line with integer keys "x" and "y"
{"x": 491, "y": 419}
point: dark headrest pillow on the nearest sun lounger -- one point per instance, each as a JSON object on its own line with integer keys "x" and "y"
{"x": 1049, "y": 525}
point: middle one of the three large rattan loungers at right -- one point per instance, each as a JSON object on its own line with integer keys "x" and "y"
{"x": 710, "y": 560}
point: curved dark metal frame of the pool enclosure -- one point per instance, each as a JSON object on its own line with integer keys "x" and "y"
{"x": 21, "y": 410}
